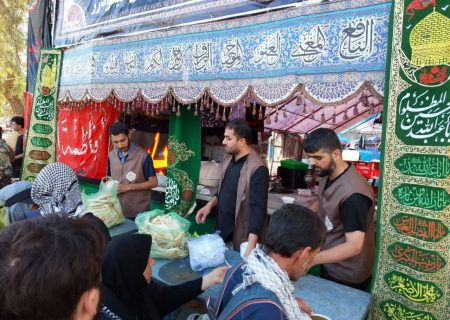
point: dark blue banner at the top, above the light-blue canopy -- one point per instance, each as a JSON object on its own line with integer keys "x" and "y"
{"x": 83, "y": 20}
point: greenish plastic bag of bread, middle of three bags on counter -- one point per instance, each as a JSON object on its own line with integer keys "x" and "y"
{"x": 169, "y": 233}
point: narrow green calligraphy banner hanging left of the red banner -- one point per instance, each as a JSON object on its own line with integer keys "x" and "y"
{"x": 40, "y": 148}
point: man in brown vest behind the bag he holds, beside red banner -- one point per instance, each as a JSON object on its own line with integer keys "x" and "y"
{"x": 133, "y": 168}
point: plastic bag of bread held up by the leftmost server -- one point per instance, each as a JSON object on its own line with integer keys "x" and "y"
{"x": 105, "y": 203}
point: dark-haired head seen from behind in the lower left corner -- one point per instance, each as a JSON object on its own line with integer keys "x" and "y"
{"x": 50, "y": 269}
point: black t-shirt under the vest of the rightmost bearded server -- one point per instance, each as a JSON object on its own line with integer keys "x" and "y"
{"x": 354, "y": 210}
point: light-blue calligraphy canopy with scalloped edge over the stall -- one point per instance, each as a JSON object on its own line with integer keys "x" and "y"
{"x": 327, "y": 51}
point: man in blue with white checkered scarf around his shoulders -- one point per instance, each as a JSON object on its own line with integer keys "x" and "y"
{"x": 261, "y": 287}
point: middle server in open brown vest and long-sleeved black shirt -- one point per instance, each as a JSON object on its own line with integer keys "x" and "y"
{"x": 243, "y": 193}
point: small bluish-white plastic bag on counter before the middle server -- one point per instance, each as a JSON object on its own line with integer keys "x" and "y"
{"x": 206, "y": 251}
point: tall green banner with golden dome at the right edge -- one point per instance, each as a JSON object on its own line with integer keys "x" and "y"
{"x": 412, "y": 275}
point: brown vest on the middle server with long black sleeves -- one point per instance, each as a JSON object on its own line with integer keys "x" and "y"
{"x": 242, "y": 212}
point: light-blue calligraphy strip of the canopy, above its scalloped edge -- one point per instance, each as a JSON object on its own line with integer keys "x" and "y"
{"x": 316, "y": 44}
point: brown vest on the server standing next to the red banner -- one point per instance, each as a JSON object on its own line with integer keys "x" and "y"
{"x": 132, "y": 202}
